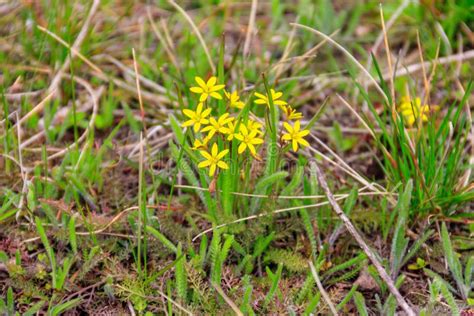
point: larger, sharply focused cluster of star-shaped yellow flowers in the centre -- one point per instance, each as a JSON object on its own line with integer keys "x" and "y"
{"x": 249, "y": 133}
